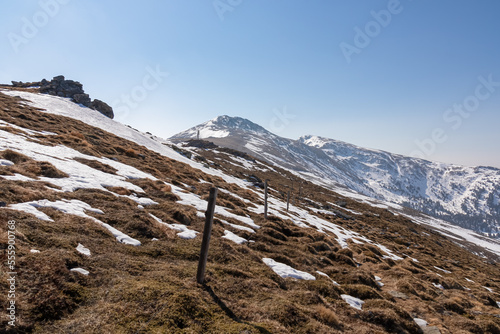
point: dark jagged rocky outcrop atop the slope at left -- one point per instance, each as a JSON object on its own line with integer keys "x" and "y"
{"x": 59, "y": 86}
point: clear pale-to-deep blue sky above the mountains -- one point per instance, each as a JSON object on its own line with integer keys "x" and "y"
{"x": 416, "y": 77}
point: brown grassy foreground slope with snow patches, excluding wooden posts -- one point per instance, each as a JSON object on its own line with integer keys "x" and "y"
{"x": 108, "y": 228}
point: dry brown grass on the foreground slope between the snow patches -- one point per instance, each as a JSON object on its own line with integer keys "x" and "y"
{"x": 151, "y": 288}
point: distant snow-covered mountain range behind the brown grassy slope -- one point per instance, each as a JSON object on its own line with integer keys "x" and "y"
{"x": 465, "y": 196}
